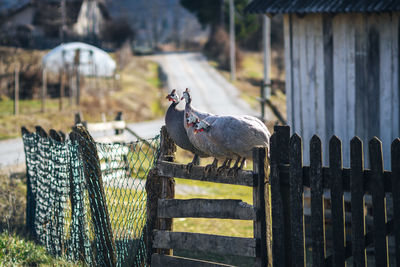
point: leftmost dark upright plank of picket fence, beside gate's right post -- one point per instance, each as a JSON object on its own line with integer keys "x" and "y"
{"x": 277, "y": 217}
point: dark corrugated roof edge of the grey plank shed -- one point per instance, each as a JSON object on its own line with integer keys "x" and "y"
{"x": 321, "y": 6}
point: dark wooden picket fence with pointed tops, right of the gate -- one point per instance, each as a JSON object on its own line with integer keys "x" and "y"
{"x": 288, "y": 180}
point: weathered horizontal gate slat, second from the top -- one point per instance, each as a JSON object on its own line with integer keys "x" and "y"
{"x": 206, "y": 208}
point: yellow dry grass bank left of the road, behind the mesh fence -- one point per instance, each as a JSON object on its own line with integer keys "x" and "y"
{"x": 138, "y": 94}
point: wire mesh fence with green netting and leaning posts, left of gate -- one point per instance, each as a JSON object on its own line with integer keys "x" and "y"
{"x": 87, "y": 200}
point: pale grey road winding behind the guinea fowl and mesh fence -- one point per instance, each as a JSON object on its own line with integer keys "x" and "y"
{"x": 210, "y": 91}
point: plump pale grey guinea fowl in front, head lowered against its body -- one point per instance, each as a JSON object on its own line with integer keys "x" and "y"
{"x": 235, "y": 135}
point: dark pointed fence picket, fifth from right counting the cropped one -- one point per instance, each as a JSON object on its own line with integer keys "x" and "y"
{"x": 317, "y": 203}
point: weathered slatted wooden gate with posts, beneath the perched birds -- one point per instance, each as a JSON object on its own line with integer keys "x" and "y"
{"x": 162, "y": 207}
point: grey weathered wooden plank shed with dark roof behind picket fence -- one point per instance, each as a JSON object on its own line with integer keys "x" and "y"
{"x": 342, "y": 69}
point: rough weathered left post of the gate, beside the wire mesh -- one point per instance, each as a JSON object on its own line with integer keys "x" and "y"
{"x": 159, "y": 187}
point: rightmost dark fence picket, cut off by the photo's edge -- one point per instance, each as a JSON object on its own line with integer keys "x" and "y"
{"x": 395, "y": 155}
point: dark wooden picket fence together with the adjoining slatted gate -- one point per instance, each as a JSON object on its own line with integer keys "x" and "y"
{"x": 279, "y": 211}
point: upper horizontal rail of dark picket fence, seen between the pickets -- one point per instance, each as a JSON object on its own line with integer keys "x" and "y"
{"x": 284, "y": 171}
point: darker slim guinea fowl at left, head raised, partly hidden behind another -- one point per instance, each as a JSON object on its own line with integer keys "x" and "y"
{"x": 174, "y": 122}
